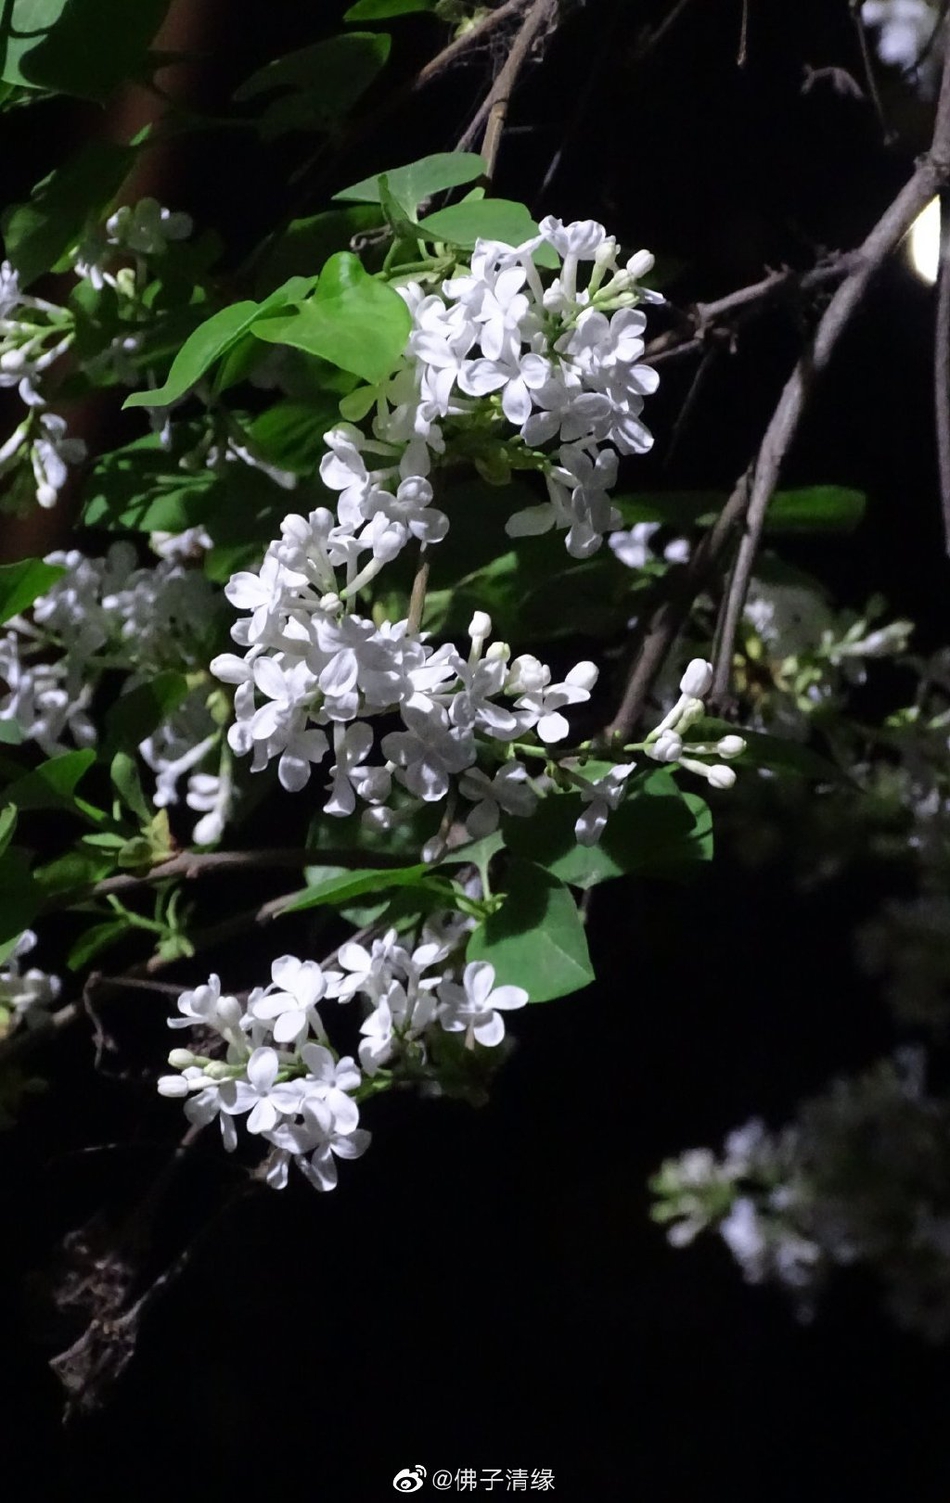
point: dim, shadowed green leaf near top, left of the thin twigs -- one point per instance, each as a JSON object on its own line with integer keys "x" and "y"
{"x": 319, "y": 83}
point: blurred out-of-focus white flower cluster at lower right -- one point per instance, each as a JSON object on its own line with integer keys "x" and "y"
{"x": 859, "y": 1179}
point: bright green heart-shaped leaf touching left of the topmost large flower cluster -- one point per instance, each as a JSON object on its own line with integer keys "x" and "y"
{"x": 352, "y": 321}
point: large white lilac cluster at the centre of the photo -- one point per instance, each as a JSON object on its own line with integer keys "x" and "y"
{"x": 316, "y": 667}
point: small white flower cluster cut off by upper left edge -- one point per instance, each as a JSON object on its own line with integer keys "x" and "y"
{"x": 34, "y": 336}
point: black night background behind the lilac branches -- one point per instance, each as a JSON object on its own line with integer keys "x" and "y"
{"x": 485, "y": 1289}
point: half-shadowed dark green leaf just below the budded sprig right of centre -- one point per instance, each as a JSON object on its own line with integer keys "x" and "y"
{"x": 658, "y": 832}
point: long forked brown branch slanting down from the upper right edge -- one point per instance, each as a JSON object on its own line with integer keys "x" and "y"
{"x": 754, "y": 491}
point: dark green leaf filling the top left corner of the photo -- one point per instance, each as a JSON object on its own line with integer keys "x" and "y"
{"x": 77, "y": 47}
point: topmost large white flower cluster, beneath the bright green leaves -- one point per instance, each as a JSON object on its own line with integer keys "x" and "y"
{"x": 545, "y": 378}
